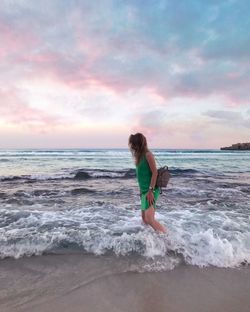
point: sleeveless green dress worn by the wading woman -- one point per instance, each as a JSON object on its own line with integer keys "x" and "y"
{"x": 144, "y": 175}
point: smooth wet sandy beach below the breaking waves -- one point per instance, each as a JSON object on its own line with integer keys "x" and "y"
{"x": 78, "y": 282}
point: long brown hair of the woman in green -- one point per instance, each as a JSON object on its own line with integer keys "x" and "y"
{"x": 138, "y": 146}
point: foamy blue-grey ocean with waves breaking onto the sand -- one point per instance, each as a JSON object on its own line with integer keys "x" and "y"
{"x": 86, "y": 201}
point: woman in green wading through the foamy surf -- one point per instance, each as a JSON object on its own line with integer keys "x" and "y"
{"x": 146, "y": 173}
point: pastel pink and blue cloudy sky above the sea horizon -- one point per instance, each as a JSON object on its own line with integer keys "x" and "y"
{"x": 87, "y": 74}
